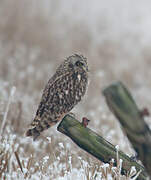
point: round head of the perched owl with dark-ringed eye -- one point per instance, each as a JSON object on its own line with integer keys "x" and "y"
{"x": 77, "y": 63}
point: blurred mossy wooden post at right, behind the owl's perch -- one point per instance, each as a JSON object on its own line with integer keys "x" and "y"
{"x": 122, "y": 104}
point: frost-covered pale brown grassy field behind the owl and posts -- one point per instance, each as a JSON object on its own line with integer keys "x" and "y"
{"x": 35, "y": 36}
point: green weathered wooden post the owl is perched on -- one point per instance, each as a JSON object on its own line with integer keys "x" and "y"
{"x": 96, "y": 145}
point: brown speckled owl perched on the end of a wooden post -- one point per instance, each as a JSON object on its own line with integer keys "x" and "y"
{"x": 62, "y": 92}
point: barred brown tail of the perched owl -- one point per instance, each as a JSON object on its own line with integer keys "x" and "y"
{"x": 35, "y": 131}
